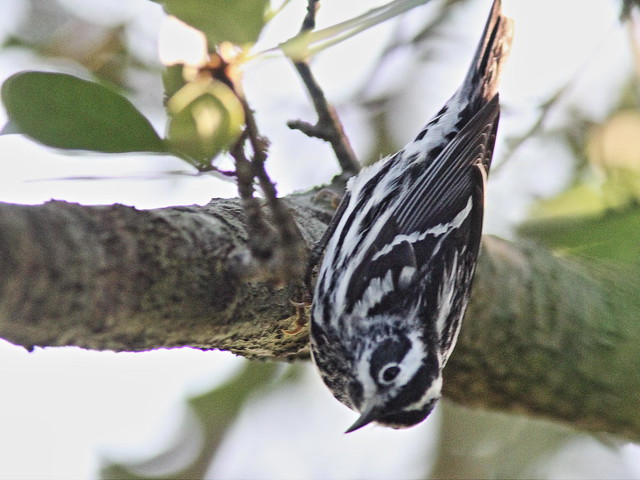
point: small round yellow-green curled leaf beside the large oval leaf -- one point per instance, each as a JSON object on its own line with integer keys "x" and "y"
{"x": 206, "y": 118}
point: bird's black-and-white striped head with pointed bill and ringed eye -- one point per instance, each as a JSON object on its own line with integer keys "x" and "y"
{"x": 397, "y": 382}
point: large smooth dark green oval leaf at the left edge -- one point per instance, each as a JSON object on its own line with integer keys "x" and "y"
{"x": 63, "y": 111}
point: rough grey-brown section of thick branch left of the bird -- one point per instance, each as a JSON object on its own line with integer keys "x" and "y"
{"x": 113, "y": 277}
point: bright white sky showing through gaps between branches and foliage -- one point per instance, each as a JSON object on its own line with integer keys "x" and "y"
{"x": 60, "y": 407}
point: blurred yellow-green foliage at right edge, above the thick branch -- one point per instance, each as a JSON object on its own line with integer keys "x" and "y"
{"x": 598, "y": 216}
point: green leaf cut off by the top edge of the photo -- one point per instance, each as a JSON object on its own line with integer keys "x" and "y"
{"x": 235, "y": 21}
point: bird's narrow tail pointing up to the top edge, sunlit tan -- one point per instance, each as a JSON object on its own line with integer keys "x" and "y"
{"x": 481, "y": 82}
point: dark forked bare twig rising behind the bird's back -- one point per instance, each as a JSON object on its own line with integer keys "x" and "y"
{"x": 328, "y": 127}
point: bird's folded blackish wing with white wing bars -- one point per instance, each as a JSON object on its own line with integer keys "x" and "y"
{"x": 447, "y": 199}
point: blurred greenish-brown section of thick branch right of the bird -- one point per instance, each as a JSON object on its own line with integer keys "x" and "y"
{"x": 549, "y": 336}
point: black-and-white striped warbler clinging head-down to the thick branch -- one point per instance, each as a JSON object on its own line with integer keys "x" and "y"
{"x": 396, "y": 275}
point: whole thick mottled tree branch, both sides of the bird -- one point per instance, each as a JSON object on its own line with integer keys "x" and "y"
{"x": 543, "y": 335}
